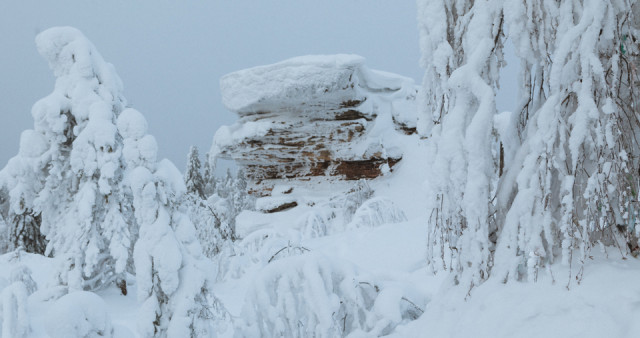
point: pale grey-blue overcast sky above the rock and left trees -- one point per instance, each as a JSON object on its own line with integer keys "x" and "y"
{"x": 171, "y": 54}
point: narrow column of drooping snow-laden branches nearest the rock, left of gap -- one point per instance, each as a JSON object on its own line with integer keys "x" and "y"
{"x": 461, "y": 44}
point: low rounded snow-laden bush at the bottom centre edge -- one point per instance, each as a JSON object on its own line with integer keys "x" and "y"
{"x": 313, "y": 296}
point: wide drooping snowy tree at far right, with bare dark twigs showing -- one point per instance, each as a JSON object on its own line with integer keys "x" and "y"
{"x": 576, "y": 175}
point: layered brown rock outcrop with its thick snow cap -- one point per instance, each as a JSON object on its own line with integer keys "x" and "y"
{"x": 315, "y": 116}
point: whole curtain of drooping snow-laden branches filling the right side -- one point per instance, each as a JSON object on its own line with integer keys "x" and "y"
{"x": 569, "y": 152}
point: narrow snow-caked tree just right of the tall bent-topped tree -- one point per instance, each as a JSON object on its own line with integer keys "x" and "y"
{"x": 172, "y": 274}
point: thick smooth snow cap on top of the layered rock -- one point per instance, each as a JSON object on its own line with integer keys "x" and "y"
{"x": 309, "y": 80}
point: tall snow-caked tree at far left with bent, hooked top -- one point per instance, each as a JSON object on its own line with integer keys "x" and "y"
{"x": 69, "y": 167}
